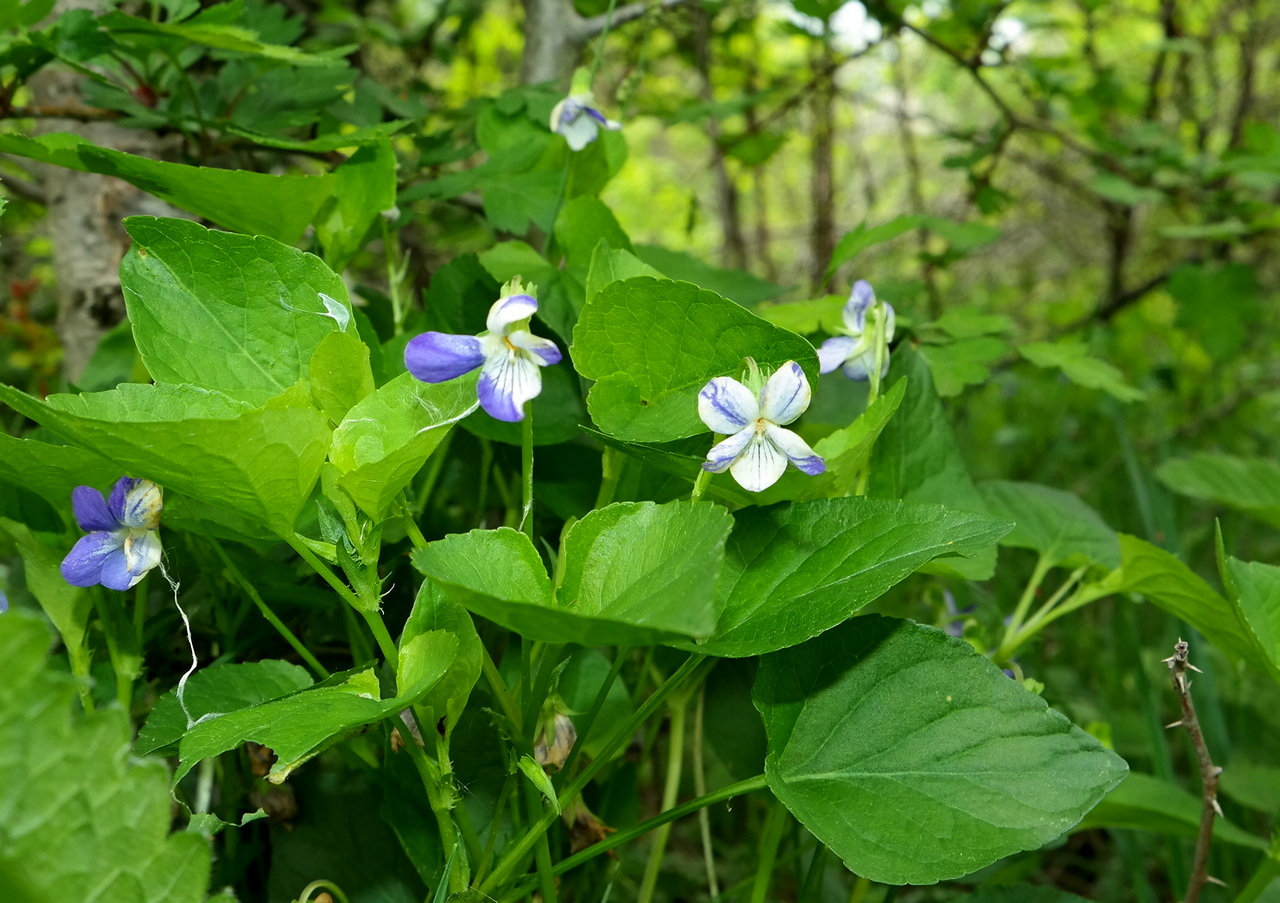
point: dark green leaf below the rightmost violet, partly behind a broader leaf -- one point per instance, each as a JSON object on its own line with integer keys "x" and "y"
{"x": 917, "y": 459}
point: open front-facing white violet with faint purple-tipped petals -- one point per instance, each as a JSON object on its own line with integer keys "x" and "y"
{"x": 758, "y": 448}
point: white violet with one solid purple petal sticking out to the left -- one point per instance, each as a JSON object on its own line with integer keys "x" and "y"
{"x": 510, "y": 357}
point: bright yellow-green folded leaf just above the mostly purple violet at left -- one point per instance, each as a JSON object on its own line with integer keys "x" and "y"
{"x": 262, "y": 463}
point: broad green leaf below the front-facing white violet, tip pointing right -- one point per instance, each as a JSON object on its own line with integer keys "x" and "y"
{"x": 793, "y": 572}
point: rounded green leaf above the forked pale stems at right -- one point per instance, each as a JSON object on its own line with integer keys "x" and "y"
{"x": 1055, "y": 525}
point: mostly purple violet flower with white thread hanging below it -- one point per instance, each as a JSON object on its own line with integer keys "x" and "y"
{"x": 122, "y": 544}
